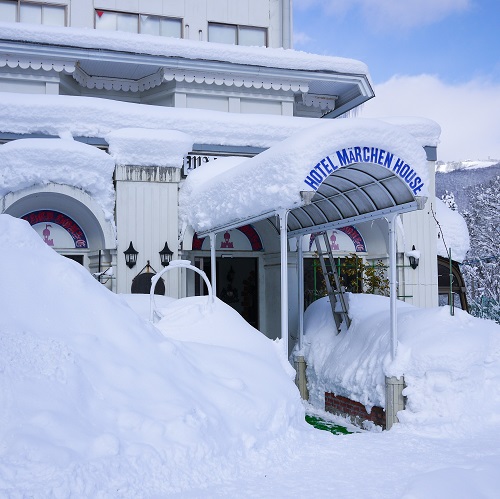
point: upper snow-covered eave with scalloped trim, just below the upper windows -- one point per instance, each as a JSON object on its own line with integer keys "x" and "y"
{"x": 136, "y": 62}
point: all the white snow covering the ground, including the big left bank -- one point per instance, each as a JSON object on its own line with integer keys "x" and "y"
{"x": 96, "y": 402}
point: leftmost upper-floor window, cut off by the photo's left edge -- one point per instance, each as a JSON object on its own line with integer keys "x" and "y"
{"x": 32, "y": 12}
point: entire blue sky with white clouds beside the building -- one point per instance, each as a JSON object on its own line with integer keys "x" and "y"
{"x": 434, "y": 58}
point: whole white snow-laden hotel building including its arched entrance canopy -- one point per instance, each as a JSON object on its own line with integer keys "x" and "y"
{"x": 138, "y": 133}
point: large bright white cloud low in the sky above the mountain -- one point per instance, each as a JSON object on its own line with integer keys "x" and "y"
{"x": 466, "y": 112}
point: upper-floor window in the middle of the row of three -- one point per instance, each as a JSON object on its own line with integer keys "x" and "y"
{"x": 138, "y": 23}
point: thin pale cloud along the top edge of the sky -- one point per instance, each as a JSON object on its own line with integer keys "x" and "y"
{"x": 382, "y": 14}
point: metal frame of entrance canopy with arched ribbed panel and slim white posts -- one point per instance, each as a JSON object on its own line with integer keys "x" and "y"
{"x": 348, "y": 196}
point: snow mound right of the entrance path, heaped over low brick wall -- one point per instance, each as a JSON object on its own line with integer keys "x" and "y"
{"x": 451, "y": 364}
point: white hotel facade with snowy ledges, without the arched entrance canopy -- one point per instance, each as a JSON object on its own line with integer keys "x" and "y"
{"x": 108, "y": 106}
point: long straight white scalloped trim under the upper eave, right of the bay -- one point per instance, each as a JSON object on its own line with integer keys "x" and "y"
{"x": 229, "y": 81}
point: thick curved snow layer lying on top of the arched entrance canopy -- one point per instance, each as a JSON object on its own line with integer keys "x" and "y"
{"x": 274, "y": 179}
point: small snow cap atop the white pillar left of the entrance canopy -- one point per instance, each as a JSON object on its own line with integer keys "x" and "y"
{"x": 146, "y": 147}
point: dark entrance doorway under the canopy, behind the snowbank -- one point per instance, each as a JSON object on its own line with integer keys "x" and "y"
{"x": 237, "y": 285}
